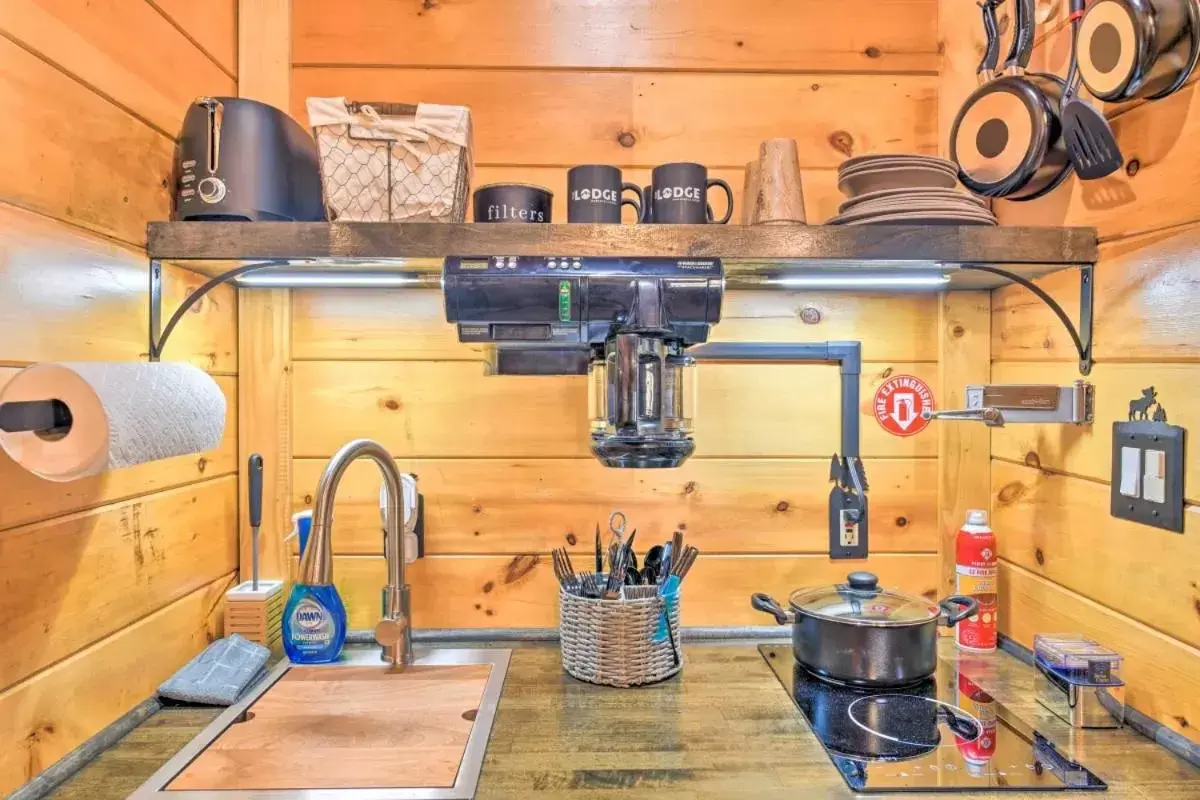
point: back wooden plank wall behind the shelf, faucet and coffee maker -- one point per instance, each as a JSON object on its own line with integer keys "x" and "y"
{"x": 503, "y": 461}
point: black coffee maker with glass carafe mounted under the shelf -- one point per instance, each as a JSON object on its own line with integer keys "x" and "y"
{"x": 626, "y": 323}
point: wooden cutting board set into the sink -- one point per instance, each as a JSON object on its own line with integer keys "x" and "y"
{"x": 345, "y": 729}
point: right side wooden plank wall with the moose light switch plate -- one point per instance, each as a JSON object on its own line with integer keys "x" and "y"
{"x": 1066, "y": 563}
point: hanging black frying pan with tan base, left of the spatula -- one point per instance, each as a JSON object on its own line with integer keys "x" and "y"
{"x": 1007, "y": 139}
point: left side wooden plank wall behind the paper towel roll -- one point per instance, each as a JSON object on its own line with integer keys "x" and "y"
{"x": 115, "y": 582}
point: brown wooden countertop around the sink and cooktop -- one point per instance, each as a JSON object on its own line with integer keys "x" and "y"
{"x": 724, "y": 729}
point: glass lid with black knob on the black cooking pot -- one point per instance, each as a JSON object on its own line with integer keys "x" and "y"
{"x": 860, "y": 601}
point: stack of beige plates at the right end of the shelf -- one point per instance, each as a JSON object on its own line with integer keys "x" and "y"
{"x": 903, "y": 190}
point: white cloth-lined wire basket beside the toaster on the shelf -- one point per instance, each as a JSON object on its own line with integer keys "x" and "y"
{"x": 393, "y": 163}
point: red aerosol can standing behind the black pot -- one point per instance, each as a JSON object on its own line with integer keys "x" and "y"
{"x": 975, "y": 557}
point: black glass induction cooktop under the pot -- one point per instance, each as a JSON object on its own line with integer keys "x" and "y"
{"x": 945, "y": 735}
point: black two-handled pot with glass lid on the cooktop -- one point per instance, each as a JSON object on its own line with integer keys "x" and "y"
{"x": 861, "y": 635}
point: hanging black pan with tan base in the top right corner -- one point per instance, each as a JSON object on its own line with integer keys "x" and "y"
{"x": 1138, "y": 49}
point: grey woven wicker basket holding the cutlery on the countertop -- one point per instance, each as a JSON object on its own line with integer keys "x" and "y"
{"x": 627, "y": 642}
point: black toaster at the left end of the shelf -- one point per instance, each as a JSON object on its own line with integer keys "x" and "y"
{"x": 241, "y": 160}
